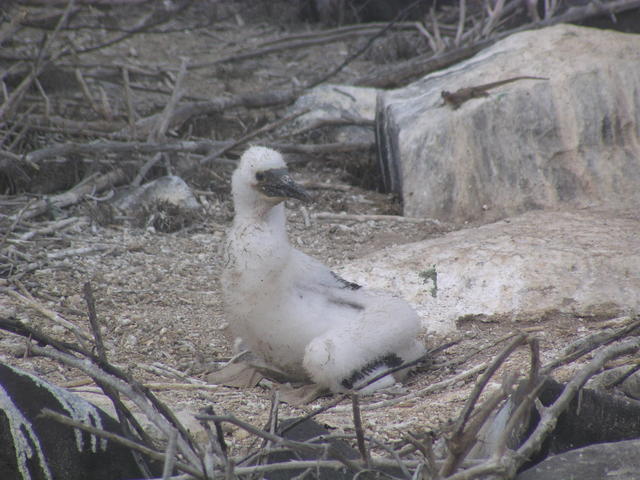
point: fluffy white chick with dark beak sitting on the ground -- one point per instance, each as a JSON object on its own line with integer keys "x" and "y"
{"x": 292, "y": 311}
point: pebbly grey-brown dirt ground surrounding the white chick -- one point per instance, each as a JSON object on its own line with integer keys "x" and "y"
{"x": 158, "y": 294}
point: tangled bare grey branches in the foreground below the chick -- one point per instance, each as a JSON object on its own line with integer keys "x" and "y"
{"x": 412, "y": 458}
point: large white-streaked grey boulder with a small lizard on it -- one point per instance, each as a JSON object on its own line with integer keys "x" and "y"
{"x": 570, "y": 141}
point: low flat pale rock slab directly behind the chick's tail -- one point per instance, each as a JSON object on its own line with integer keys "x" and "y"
{"x": 584, "y": 263}
